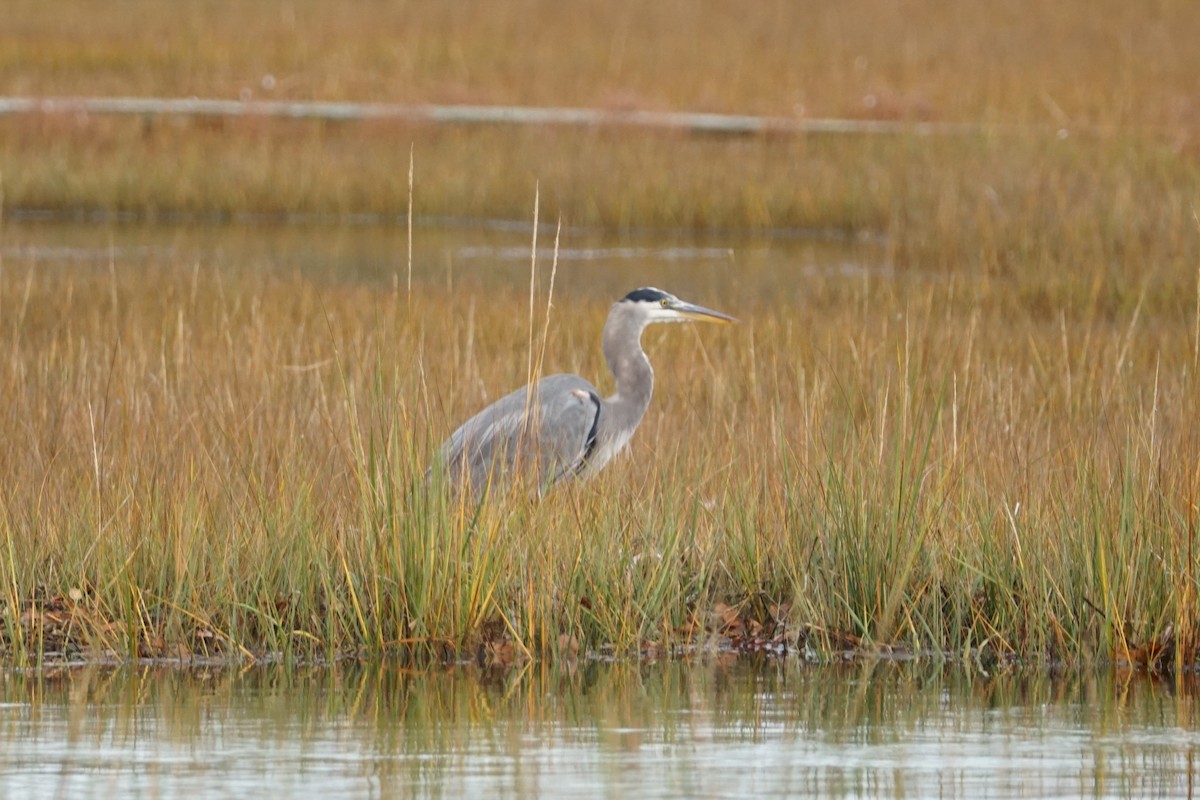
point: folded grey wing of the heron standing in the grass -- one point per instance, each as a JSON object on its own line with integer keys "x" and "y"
{"x": 548, "y": 438}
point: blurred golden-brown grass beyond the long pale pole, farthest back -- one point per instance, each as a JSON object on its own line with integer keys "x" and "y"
{"x": 1101, "y": 63}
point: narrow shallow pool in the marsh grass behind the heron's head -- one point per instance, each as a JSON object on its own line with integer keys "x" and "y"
{"x": 457, "y": 254}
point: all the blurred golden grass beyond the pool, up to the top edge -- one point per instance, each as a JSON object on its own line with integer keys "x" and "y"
{"x": 1120, "y": 83}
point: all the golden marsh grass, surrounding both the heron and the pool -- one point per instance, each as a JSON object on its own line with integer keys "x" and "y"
{"x": 992, "y": 453}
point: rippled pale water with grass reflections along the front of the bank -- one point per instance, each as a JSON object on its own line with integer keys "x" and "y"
{"x": 706, "y": 729}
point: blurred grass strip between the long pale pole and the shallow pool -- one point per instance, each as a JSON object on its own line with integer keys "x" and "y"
{"x": 1004, "y": 203}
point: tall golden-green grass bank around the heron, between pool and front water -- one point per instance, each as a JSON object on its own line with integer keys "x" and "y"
{"x": 205, "y": 461}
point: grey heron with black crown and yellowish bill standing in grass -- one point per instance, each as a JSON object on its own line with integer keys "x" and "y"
{"x": 565, "y": 428}
